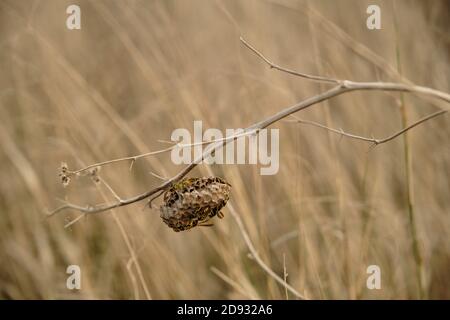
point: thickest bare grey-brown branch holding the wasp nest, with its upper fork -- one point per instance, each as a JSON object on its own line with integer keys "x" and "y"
{"x": 343, "y": 86}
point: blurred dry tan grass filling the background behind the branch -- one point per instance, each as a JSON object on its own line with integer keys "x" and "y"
{"x": 139, "y": 69}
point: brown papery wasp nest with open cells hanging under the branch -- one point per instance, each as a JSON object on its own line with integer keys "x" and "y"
{"x": 193, "y": 201}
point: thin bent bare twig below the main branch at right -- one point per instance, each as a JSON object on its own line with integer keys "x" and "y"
{"x": 373, "y": 140}
